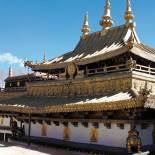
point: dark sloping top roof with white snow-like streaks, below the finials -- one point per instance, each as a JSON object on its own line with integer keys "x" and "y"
{"x": 93, "y": 48}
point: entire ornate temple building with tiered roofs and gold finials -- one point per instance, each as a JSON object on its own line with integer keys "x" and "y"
{"x": 99, "y": 95}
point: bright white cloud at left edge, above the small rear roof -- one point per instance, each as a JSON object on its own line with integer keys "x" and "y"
{"x": 10, "y": 59}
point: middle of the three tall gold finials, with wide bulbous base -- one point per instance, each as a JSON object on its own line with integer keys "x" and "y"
{"x": 106, "y": 21}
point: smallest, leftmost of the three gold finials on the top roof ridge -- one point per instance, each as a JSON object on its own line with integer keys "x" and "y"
{"x": 85, "y": 29}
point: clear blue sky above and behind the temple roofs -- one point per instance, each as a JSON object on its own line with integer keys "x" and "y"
{"x": 30, "y": 27}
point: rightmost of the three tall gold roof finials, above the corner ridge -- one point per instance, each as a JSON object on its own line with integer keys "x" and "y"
{"x": 128, "y": 14}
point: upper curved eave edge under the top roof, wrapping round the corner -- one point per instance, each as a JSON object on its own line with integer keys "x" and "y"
{"x": 144, "y": 53}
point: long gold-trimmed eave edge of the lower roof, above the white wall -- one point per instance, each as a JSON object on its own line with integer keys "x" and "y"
{"x": 105, "y": 106}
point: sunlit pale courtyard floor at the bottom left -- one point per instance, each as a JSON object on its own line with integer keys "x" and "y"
{"x": 22, "y": 149}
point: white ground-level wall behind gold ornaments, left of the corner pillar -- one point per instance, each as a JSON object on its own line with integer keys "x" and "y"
{"x": 110, "y": 137}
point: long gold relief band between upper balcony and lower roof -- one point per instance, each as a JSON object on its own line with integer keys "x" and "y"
{"x": 80, "y": 87}
